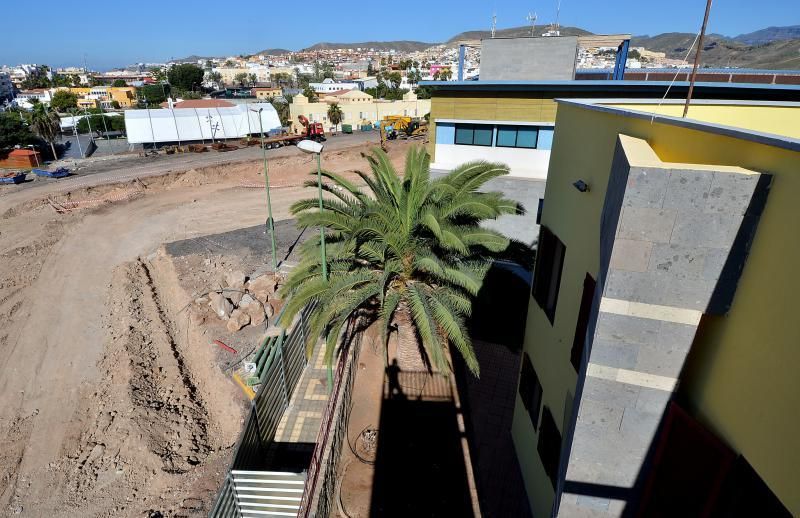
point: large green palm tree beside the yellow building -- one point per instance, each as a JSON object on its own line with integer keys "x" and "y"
{"x": 408, "y": 252}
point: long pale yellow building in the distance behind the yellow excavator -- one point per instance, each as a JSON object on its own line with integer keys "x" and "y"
{"x": 357, "y": 108}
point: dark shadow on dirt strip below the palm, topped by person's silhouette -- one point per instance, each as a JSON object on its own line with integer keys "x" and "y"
{"x": 419, "y": 466}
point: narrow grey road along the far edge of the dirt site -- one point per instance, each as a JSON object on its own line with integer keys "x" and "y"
{"x": 98, "y": 170}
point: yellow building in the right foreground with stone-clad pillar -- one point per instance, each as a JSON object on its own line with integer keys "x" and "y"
{"x": 659, "y": 362}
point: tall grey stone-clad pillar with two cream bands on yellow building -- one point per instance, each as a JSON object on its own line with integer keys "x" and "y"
{"x": 670, "y": 232}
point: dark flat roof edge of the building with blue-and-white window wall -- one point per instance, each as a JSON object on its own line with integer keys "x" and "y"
{"x": 592, "y": 88}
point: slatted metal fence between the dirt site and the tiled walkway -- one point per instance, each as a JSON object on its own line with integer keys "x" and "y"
{"x": 279, "y": 365}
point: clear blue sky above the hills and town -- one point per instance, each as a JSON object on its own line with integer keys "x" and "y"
{"x": 114, "y": 34}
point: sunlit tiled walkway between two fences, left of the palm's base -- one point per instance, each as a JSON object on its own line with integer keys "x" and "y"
{"x": 301, "y": 421}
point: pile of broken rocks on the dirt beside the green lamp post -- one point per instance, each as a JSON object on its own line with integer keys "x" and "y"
{"x": 241, "y": 302}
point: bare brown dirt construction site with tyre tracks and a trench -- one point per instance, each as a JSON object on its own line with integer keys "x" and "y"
{"x": 115, "y": 399}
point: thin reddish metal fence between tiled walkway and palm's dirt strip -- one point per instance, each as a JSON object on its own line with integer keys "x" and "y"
{"x": 320, "y": 488}
